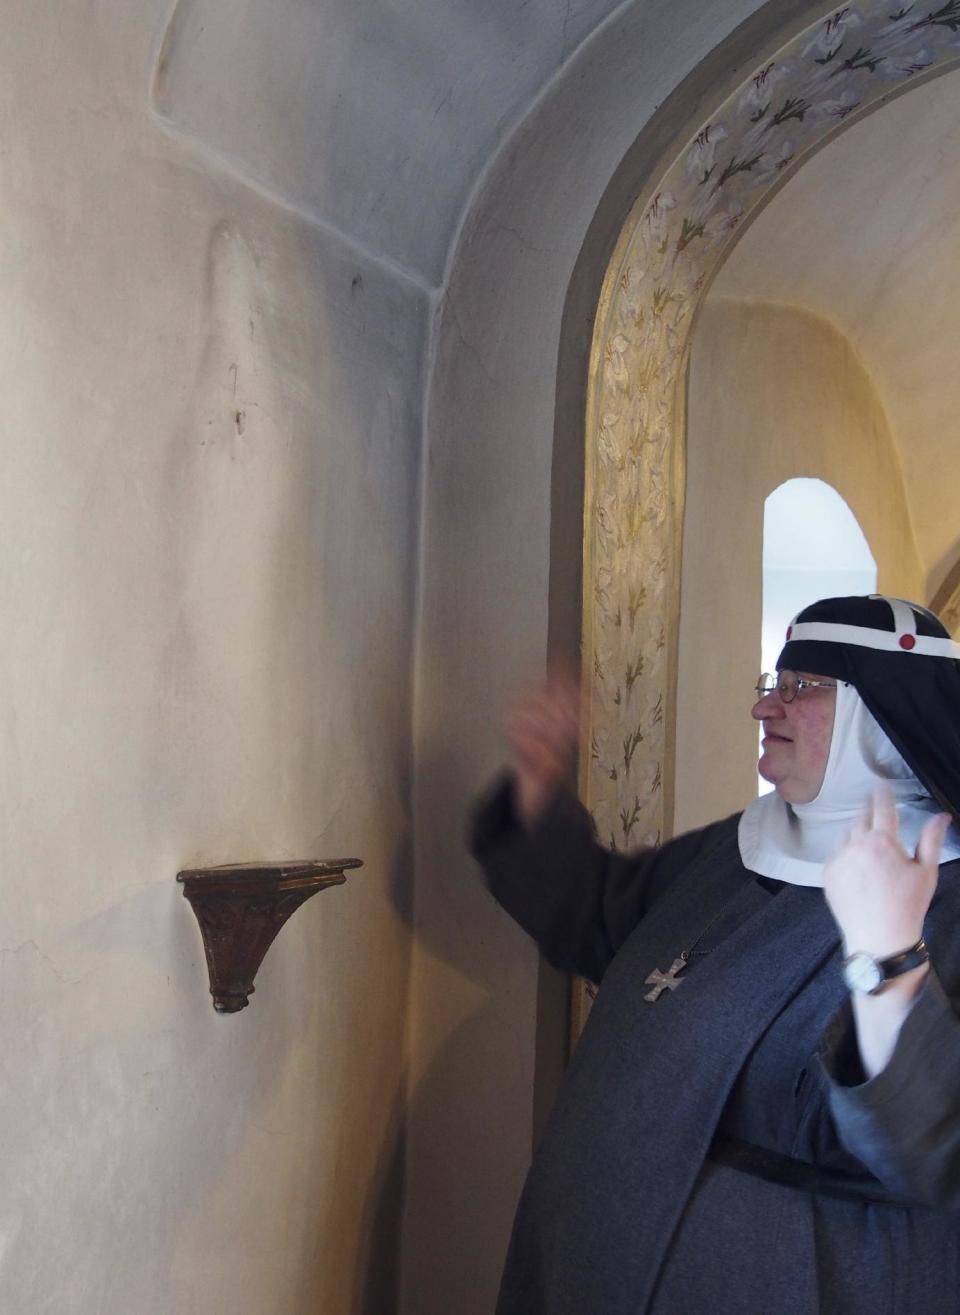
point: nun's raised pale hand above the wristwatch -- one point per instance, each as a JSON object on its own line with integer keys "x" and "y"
{"x": 878, "y": 894}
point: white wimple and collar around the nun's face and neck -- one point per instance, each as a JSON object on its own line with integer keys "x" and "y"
{"x": 794, "y": 842}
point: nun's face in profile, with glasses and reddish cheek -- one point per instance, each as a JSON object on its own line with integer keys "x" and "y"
{"x": 796, "y": 740}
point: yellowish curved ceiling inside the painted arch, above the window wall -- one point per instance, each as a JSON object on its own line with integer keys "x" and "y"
{"x": 867, "y": 233}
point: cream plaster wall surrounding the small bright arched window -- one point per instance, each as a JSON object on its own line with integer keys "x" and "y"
{"x": 775, "y": 393}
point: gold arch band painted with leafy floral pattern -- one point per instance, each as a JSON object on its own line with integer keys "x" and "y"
{"x": 845, "y": 66}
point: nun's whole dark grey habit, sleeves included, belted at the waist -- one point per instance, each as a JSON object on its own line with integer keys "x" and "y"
{"x": 720, "y": 1150}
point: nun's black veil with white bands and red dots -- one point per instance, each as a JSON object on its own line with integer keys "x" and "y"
{"x": 907, "y": 670}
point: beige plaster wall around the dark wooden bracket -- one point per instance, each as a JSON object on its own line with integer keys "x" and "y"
{"x": 210, "y": 439}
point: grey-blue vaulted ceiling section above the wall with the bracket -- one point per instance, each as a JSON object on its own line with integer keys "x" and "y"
{"x": 374, "y": 118}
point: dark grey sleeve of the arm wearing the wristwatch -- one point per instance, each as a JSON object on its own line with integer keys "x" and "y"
{"x": 904, "y": 1125}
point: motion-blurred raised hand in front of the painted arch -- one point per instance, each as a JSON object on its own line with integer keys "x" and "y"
{"x": 544, "y": 732}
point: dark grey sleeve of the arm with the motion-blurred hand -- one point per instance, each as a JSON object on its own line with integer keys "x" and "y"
{"x": 575, "y": 897}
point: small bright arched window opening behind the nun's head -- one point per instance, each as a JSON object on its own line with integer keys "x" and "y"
{"x": 813, "y": 548}
